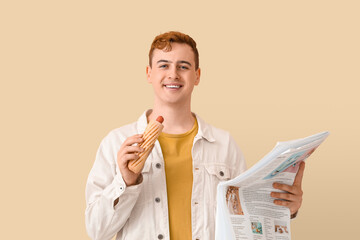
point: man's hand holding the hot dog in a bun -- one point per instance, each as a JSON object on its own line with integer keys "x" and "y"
{"x": 126, "y": 153}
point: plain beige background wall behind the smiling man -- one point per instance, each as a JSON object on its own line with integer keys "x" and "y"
{"x": 271, "y": 70}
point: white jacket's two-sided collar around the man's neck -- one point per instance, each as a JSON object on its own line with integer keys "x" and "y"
{"x": 205, "y": 130}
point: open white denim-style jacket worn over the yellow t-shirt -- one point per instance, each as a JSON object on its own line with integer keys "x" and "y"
{"x": 142, "y": 211}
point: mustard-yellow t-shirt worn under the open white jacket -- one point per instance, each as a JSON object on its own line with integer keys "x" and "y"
{"x": 176, "y": 149}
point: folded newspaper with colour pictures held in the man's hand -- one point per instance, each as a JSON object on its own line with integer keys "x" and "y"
{"x": 245, "y": 209}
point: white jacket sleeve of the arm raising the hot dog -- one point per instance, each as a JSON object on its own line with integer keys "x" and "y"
{"x": 104, "y": 185}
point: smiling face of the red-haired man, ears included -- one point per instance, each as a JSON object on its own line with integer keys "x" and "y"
{"x": 173, "y": 74}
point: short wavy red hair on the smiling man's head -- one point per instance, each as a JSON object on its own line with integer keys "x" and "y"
{"x": 163, "y": 42}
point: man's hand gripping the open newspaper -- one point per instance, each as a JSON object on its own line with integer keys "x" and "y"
{"x": 292, "y": 197}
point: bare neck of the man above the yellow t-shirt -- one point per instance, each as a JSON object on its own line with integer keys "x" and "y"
{"x": 177, "y": 120}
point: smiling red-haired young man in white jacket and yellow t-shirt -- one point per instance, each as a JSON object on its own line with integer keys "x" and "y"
{"x": 174, "y": 195}
